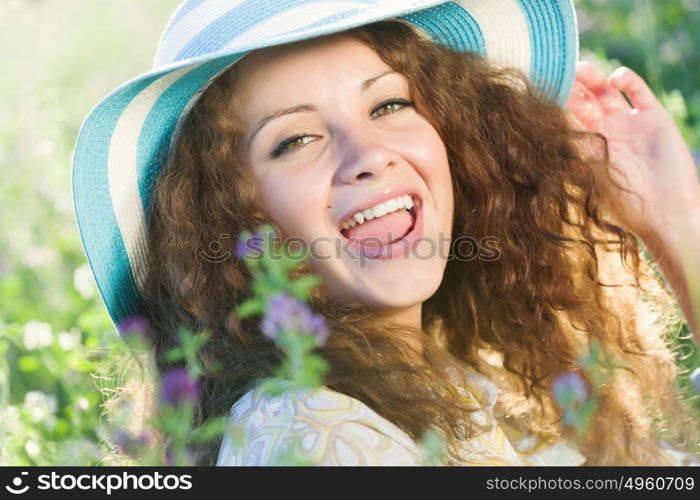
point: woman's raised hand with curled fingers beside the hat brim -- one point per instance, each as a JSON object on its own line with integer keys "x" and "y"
{"x": 648, "y": 152}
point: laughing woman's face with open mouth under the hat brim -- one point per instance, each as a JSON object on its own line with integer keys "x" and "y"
{"x": 331, "y": 134}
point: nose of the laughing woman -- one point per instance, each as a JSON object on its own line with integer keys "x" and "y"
{"x": 364, "y": 157}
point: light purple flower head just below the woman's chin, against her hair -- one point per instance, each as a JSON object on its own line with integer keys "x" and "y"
{"x": 285, "y": 312}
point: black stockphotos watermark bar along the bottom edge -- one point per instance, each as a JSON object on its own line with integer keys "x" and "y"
{"x": 478, "y": 482}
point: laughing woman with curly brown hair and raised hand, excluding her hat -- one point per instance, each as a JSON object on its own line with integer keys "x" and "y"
{"x": 380, "y": 112}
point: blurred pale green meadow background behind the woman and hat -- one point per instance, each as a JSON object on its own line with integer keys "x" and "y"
{"x": 61, "y": 57}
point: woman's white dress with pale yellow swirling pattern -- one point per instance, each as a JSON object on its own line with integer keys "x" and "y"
{"x": 330, "y": 428}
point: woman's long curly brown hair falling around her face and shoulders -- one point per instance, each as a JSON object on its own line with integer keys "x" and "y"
{"x": 566, "y": 275}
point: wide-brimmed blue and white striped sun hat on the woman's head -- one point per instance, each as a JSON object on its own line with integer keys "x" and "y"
{"x": 125, "y": 139}
